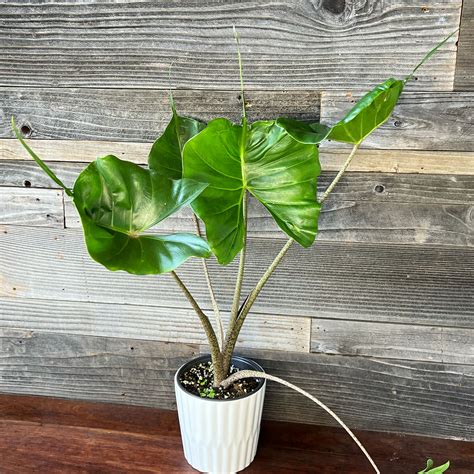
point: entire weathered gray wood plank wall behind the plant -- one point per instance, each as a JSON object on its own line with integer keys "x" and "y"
{"x": 376, "y": 318}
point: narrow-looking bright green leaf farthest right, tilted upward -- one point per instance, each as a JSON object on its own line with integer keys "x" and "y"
{"x": 369, "y": 113}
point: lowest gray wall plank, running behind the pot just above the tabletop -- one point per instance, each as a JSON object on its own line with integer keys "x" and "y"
{"x": 389, "y": 395}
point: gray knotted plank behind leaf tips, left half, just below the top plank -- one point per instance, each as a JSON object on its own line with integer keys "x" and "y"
{"x": 137, "y": 115}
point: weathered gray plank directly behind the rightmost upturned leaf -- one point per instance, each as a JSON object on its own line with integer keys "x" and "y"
{"x": 421, "y": 121}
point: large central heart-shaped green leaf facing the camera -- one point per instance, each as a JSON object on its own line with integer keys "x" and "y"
{"x": 262, "y": 159}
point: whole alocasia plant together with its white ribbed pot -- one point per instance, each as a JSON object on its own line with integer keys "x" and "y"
{"x": 214, "y": 168}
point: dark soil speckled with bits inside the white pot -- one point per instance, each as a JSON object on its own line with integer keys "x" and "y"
{"x": 198, "y": 381}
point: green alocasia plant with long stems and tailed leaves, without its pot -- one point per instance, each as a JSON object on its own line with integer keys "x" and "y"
{"x": 214, "y": 167}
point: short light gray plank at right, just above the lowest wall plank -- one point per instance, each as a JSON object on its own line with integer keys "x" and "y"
{"x": 393, "y": 341}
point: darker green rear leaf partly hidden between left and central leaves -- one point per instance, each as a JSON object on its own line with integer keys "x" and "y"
{"x": 166, "y": 153}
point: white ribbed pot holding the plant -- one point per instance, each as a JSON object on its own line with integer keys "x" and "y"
{"x": 219, "y": 436}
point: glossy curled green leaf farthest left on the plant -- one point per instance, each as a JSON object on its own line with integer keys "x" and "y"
{"x": 118, "y": 200}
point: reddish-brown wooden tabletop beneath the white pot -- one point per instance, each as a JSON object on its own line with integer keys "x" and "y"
{"x": 45, "y": 435}
